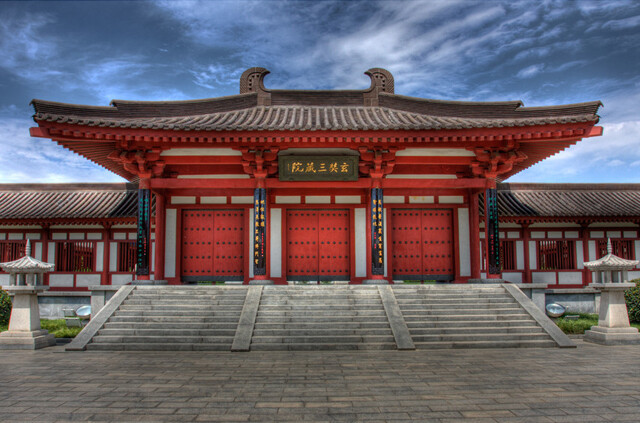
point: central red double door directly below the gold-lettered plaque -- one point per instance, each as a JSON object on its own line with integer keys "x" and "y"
{"x": 318, "y": 245}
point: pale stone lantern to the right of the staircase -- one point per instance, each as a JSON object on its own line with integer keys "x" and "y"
{"x": 612, "y": 280}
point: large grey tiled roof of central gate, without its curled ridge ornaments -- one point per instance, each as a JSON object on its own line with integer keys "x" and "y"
{"x": 312, "y": 111}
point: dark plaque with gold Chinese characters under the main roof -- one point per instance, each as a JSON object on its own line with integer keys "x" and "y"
{"x": 318, "y": 168}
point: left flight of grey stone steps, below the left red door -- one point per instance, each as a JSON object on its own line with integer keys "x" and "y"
{"x": 176, "y": 318}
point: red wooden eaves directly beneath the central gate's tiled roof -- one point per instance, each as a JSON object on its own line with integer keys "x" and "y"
{"x": 96, "y": 144}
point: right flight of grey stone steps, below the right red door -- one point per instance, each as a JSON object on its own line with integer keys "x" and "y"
{"x": 468, "y": 316}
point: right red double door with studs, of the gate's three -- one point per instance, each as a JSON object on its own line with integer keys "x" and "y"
{"x": 422, "y": 244}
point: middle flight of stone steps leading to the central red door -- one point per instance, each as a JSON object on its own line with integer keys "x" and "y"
{"x": 321, "y": 318}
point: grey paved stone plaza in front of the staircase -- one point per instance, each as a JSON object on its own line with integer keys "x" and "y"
{"x": 589, "y": 384}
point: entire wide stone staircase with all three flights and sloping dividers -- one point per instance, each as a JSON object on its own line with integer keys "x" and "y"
{"x": 331, "y": 317}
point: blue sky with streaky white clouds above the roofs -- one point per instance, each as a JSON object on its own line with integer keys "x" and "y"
{"x": 540, "y": 52}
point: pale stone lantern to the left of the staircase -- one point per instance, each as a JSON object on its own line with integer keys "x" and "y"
{"x": 25, "y": 282}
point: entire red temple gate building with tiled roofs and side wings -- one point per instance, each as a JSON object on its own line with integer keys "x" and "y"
{"x": 360, "y": 186}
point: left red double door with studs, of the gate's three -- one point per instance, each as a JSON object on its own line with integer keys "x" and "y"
{"x": 212, "y": 245}
